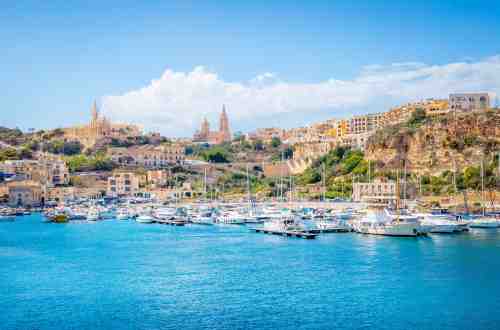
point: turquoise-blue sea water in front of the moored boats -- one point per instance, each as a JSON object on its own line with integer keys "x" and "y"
{"x": 125, "y": 275}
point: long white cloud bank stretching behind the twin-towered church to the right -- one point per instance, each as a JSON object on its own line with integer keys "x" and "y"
{"x": 175, "y": 103}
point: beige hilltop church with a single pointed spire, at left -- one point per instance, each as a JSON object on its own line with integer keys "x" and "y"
{"x": 100, "y": 128}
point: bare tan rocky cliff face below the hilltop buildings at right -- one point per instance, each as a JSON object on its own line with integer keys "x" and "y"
{"x": 434, "y": 145}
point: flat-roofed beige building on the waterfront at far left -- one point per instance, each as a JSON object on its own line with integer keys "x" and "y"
{"x": 25, "y": 193}
